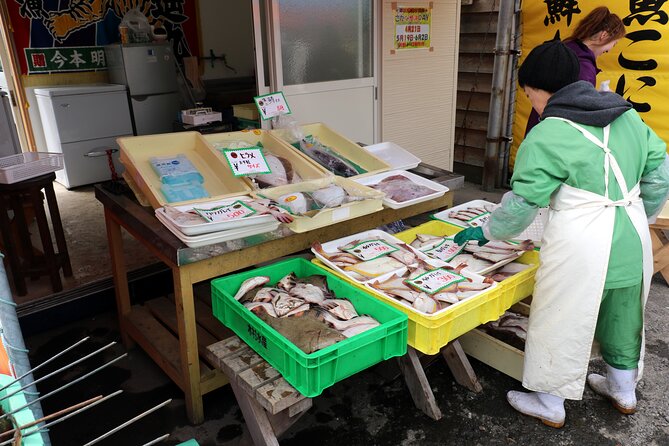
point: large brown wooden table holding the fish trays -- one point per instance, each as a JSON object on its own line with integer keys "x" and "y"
{"x": 178, "y": 355}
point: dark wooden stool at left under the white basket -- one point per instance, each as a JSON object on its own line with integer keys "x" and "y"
{"x": 13, "y": 197}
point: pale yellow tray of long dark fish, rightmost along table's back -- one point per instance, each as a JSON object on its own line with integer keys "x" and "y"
{"x": 342, "y": 145}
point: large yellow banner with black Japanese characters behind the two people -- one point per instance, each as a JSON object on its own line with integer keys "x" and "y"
{"x": 637, "y": 67}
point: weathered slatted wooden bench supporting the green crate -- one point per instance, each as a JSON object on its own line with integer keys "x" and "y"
{"x": 270, "y": 405}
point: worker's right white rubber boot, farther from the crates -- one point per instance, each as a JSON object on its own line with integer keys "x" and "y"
{"x": 618, "y": 386}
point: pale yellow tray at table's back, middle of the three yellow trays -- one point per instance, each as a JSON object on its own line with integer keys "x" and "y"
{"x": 300, "y": 162}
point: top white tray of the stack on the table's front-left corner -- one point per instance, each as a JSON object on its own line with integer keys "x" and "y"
{"x": 205, "y": 228}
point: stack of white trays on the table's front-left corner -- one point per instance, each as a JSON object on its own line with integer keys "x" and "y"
{"x": 200, "y": 234}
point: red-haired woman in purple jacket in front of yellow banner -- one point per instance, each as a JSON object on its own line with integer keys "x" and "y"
{"x": 595, "y": 34}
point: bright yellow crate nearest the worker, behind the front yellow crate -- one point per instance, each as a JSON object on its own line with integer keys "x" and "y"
{"x": 514, "y": 289}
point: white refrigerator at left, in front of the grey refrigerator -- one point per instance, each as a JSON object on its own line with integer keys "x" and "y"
{"x": 82, "y": 122}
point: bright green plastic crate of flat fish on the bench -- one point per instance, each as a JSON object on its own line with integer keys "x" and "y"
{"x": 311, "y": 373}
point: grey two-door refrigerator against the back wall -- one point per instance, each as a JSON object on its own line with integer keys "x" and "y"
{"x": 150, "y": 73}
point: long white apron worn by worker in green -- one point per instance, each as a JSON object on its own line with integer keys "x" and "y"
{"x": 570, "y": 280}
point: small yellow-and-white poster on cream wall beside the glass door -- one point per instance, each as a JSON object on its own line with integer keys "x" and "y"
{"x": 412, "y": 26}
